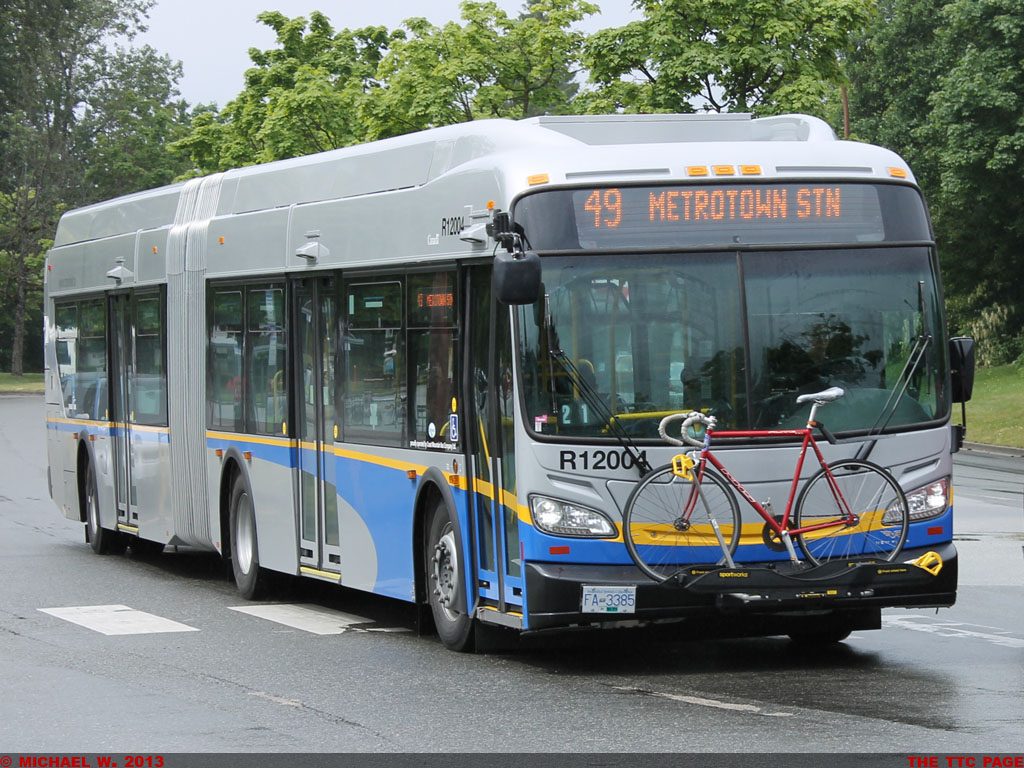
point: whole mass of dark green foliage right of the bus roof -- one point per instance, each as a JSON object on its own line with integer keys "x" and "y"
{"x": 945, "y": 88}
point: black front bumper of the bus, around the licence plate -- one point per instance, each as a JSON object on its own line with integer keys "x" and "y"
{"x": 754, "y": 594}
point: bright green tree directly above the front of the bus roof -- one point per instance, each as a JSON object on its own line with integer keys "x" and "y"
{"x": 766, "y": 57}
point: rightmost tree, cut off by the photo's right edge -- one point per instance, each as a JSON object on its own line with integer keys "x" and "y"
{"x": 975, "y": 140}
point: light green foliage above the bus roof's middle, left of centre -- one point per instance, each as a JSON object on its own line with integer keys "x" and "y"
{"x": 320, "y": 90}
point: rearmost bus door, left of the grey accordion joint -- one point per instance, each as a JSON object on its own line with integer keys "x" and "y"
{"x": 121, "y": 410}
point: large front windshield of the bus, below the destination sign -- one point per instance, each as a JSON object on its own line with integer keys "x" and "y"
{"x": 737, "y": 334}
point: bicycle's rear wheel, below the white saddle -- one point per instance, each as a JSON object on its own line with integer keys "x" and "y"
{"x": 855, "y": 510}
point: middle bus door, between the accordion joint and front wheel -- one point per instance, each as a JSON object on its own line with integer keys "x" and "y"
{"x": 317, "y": 425}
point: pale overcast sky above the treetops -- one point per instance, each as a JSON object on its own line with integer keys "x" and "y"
{"x": 212, "y": 38}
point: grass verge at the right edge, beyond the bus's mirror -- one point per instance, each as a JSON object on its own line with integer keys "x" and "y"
{"x": 996, "y": 413}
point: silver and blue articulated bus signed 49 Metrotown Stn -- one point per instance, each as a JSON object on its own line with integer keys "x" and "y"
{"x": 313, "y": 367}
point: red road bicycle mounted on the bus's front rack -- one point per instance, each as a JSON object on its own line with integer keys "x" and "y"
{"x": 687, "y": 513}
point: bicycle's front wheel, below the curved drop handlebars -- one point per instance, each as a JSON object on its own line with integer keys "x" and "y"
{"x": 670, "y": 523}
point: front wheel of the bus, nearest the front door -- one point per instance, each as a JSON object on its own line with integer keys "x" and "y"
{"x": 445, "y": 582}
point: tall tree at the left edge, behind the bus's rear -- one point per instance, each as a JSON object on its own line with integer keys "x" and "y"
{"x": 56, "y": 65}
